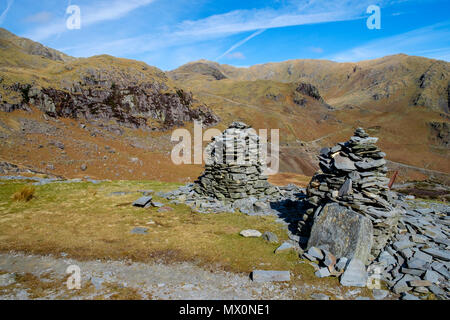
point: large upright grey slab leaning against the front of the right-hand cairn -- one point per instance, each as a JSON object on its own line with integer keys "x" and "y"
{"x": 343, "y": 232}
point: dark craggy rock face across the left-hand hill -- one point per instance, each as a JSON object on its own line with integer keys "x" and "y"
{"x": 130, "y": 105}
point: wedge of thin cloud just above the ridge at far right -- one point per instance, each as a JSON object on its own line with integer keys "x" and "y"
{"x": 405, "y": 42}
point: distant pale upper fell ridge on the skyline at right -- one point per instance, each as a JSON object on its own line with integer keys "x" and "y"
{"x": 415, "y": 81}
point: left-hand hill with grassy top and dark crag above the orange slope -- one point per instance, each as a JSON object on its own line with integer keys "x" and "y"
{"x": 101, "y": 87}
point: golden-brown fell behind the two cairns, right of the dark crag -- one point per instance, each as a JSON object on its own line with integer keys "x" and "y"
{"x": 316, "y": 103}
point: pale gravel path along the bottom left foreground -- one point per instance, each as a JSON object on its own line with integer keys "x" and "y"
{"x": 155, "y": 281}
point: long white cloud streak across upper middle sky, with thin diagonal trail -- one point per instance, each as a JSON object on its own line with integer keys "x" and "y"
{"x": 222, "y": 25}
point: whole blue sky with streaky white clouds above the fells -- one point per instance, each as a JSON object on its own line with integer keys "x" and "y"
{"x": 169, "y": 33}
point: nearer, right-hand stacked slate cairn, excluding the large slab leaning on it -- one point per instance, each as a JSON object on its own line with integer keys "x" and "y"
{"x": 353, "y": 174}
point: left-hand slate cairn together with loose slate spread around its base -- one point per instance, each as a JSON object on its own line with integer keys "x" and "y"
{"x": 234, "y": 178}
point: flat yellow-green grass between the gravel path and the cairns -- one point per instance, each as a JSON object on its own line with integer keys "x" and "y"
{"x": 85, "y": 221}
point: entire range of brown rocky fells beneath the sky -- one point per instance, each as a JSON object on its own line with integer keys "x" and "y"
{"x": 102, "y": 103}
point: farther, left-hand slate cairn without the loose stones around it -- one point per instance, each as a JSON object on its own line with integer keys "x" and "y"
{"x": 234, "y": 166}
